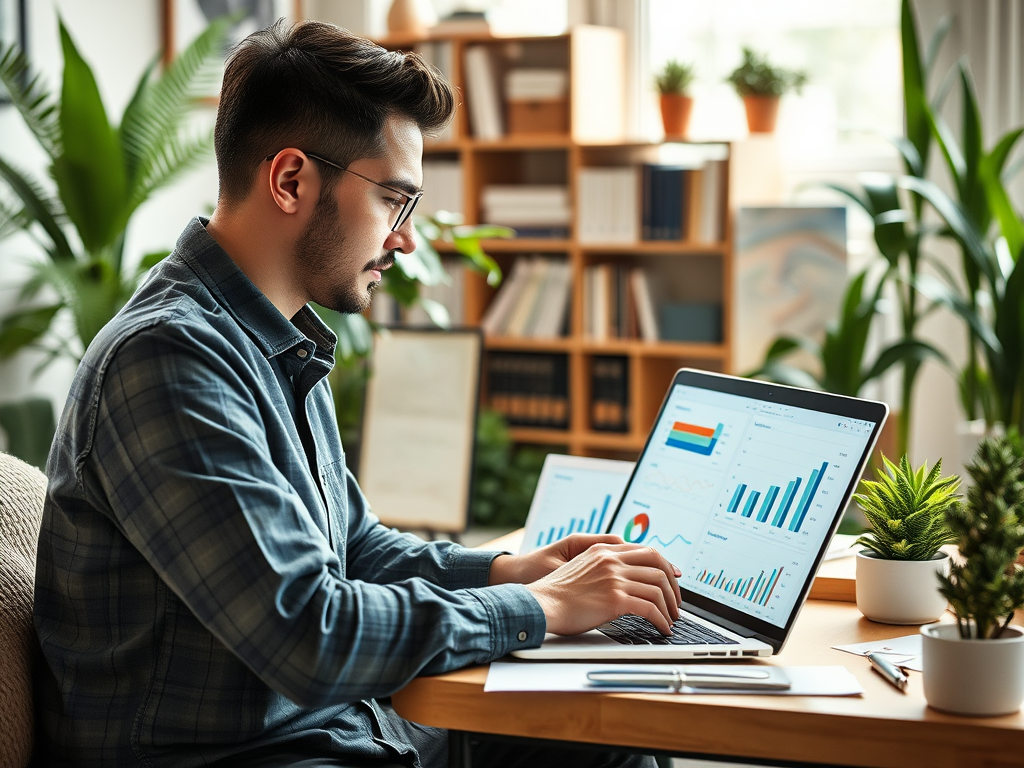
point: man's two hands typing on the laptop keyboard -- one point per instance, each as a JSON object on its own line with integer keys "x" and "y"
{"x": 584, "y": 581}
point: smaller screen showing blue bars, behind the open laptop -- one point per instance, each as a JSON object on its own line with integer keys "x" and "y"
{"x": 575, "y": 495}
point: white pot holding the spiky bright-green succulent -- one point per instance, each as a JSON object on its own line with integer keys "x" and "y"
{"x": 901, "y": 591}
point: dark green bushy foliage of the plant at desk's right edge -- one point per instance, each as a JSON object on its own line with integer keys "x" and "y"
{"x": 987, "y": 587}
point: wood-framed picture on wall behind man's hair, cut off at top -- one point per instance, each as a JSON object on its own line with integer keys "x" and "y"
{"x": 185, "y": 20}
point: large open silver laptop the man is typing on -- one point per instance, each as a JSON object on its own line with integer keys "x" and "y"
{"x": 742, "y": 485}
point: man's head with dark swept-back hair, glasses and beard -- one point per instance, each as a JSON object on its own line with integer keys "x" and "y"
{"x": 320, "y": 136}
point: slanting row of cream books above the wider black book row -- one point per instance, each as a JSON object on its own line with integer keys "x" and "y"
{"x": 534, "y": 301}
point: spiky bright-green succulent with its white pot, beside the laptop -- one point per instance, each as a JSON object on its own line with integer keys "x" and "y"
{"x": 907, "y": 515}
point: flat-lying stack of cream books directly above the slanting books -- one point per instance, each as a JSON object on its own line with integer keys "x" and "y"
{"x": 533, "y": 210}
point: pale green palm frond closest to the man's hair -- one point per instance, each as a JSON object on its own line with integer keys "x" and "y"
{"x": 155, "y": 115}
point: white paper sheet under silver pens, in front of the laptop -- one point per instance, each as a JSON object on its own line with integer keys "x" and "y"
{"x": 534, "y": 676}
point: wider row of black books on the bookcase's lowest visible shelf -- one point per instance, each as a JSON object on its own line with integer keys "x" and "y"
{"x": 530, "y": 391}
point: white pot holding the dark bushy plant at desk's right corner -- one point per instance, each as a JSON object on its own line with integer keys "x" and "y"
{"x": 973, "y": 677}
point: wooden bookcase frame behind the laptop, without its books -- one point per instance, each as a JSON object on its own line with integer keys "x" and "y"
{"x": 594, "y": 59}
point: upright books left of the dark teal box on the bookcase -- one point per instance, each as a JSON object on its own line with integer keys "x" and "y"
{"x": 618, "y": 304}
